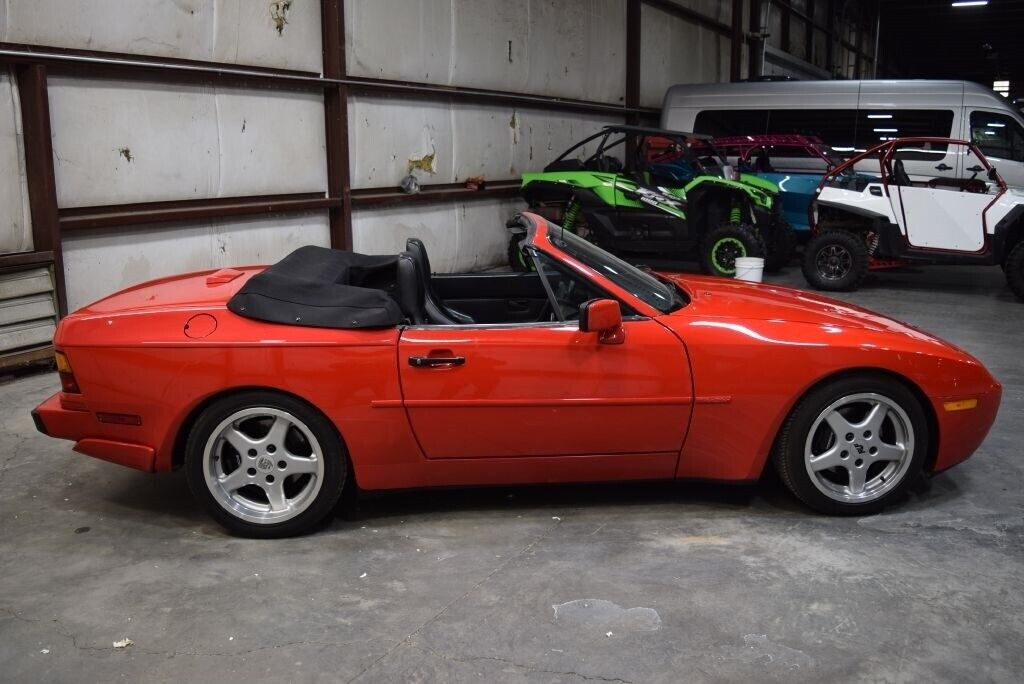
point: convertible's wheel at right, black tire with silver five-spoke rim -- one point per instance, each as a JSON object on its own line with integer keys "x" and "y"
{"x": 831, "y": 491}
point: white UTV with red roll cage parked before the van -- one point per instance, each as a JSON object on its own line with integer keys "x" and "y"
{"x": 889, "y": 220}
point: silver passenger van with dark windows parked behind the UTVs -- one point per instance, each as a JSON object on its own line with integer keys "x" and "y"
{"x": 852, "y": 116}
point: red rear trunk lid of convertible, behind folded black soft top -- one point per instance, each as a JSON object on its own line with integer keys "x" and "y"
{"x": 202, "y": 290}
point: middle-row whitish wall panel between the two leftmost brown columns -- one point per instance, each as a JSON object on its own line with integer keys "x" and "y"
{"x": 119, "y": 143}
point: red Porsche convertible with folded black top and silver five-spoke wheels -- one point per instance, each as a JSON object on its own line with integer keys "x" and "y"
{"x": 275, "y": 387}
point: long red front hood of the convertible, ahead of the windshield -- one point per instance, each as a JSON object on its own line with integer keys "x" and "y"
{"x": 723, "y": 298}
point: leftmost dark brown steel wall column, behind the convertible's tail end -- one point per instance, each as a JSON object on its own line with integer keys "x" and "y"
{"x": 39, "y": 172}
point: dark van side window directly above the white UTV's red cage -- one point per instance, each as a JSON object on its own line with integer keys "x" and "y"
{"x": 876, "y": 127}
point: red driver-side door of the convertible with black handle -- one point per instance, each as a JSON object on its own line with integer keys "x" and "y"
{"x": 544, "y": 391}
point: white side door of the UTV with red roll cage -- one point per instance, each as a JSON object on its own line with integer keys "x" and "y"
{"x": 946, "y": 213}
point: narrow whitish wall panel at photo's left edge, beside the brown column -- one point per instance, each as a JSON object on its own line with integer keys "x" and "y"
{"x": 16, "y": 222}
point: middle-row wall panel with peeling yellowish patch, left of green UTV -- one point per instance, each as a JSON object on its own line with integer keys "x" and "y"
{"x": 496, "y": 143}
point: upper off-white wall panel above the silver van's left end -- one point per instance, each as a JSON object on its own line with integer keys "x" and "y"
{"x": 674, "y": 52}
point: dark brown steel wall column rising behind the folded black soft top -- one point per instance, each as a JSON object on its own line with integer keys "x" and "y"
{"x": 336, "y": 119}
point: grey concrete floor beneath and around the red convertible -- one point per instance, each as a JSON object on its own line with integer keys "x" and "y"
{"x": 641, "y": 583}
